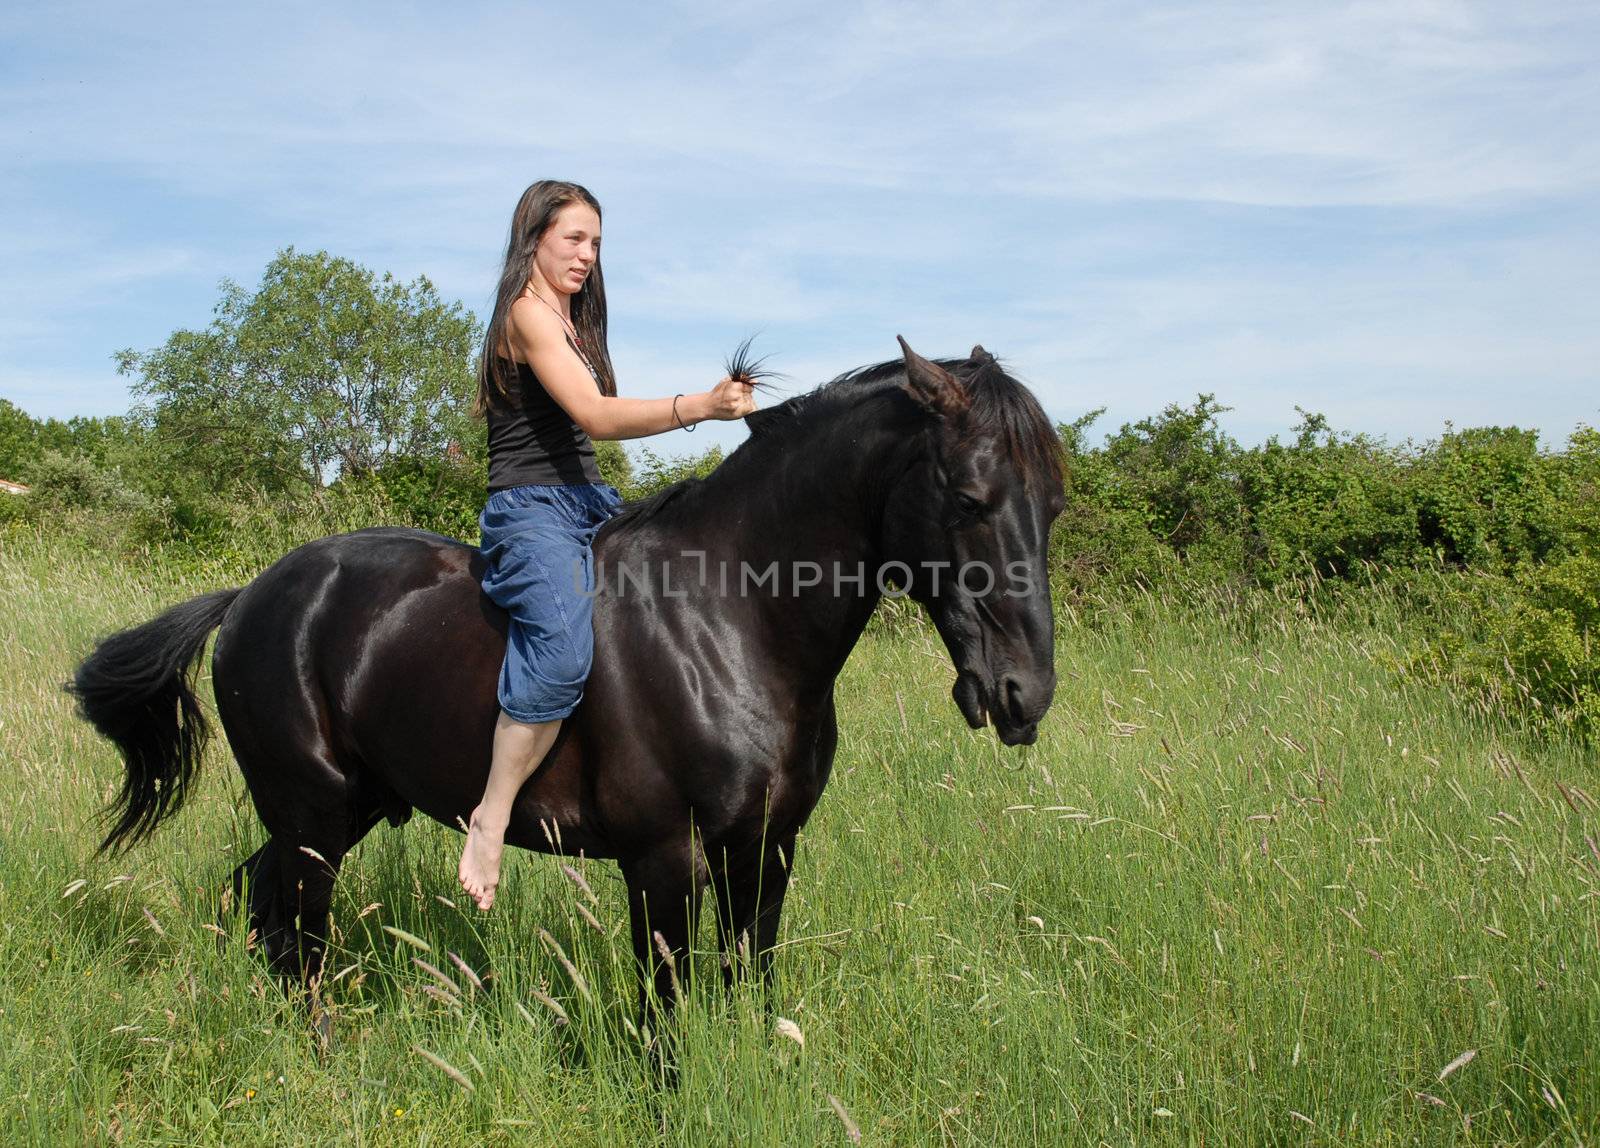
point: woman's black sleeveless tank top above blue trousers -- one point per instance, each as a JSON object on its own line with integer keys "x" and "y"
{"x": 535, "y": 442}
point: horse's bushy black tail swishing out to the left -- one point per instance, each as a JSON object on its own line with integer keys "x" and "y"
{"x": 137, "y": 688}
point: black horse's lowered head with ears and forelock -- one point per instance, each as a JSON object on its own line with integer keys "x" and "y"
{"x": 970, "y": 519}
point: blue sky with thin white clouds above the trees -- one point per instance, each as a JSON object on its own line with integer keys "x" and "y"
{"x": 1382, "y": 212}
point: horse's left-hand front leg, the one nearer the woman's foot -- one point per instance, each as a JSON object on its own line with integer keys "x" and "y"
{"x": 663, "y": 901}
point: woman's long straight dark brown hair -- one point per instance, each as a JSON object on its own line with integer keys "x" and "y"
{"x": 535, "y": 213}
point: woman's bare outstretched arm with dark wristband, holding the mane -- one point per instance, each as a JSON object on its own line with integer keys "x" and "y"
{"x": 540, "y": 340}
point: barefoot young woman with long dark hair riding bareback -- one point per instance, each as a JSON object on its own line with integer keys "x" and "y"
{"x": 548, "y": 391}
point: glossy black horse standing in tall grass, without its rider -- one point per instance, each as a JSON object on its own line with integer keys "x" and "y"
{"x": 356, "y": 677}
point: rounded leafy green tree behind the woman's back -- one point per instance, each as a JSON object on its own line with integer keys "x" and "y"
{"x": 324, "y": 372}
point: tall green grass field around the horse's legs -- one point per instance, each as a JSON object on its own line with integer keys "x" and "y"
{"x": 1249, "y": 888}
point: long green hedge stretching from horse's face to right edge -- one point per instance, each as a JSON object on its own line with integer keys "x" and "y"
{"x": 1321, "y": 504}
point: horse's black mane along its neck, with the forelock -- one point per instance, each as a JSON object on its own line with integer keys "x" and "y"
{"x": 999, "y": 405}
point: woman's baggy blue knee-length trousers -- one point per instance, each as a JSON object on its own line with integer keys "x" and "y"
{"x": 540, "y": 568}
